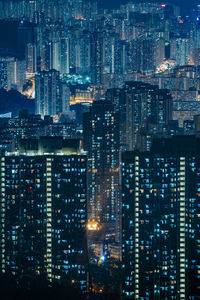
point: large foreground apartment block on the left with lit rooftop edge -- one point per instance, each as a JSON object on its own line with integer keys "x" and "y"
{"x": 44, "y": 211}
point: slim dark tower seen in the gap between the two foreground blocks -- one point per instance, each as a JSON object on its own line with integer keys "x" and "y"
{"x": 101, "y": 140}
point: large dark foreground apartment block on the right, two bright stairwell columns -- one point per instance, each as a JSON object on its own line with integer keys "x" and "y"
{"x": 160, "y": 220}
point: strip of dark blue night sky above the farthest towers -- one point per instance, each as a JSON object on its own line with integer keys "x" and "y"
{"x": 184, "y": 4}
